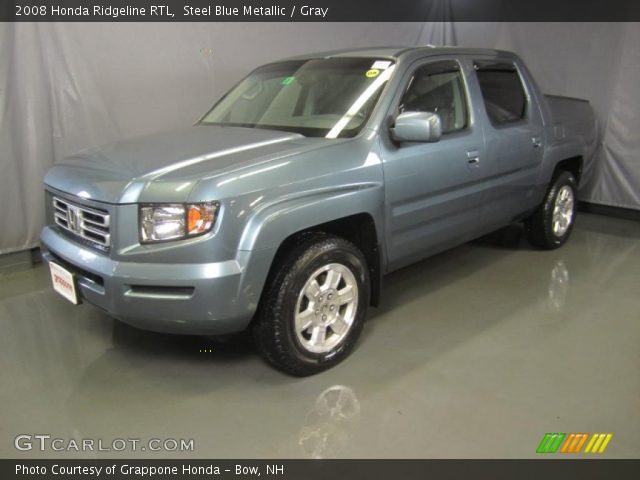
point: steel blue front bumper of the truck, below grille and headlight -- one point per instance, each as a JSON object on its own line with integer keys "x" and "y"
{"x": 198, "y": 299}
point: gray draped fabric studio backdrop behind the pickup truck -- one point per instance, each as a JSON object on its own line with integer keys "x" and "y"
{"x": 68, "y": 86}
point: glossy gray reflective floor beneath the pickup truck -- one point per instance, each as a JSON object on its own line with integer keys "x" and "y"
{"x": 475, "y": 353}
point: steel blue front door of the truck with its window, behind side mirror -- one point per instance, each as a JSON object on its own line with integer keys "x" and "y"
{"x": 433, "y": 195}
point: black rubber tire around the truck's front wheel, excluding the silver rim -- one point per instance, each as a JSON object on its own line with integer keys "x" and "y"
{"x": 274, "y": 328}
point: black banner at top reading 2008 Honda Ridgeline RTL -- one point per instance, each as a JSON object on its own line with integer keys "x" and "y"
{"x": 319, "y": 10}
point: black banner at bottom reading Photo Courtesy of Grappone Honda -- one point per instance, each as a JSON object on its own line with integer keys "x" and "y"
{"x": 320, "y": 469}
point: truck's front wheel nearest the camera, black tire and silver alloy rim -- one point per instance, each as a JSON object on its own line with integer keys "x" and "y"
{"x": 313, "y": 308}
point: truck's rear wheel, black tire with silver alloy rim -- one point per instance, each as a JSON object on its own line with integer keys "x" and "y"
{"x": 550, "y": 225}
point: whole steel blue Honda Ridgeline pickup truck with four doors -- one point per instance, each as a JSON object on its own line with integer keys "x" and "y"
{"x": 283, "y": 207}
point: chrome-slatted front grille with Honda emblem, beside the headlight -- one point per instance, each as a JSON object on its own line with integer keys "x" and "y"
{"x": 87, "y": 223}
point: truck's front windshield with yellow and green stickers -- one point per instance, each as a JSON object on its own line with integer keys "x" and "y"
{"x": 331, "y": 97}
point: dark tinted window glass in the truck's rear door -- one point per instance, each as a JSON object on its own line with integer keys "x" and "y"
{"x": 502, "y": 91}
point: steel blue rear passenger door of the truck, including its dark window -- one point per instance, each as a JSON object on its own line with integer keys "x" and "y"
{"x": 514, "y": 140}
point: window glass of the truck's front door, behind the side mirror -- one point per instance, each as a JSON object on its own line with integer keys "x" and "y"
{"x": 438, "y": 88}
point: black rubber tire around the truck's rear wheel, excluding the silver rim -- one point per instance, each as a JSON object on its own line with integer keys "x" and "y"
{"x": 539, "y": 228}
